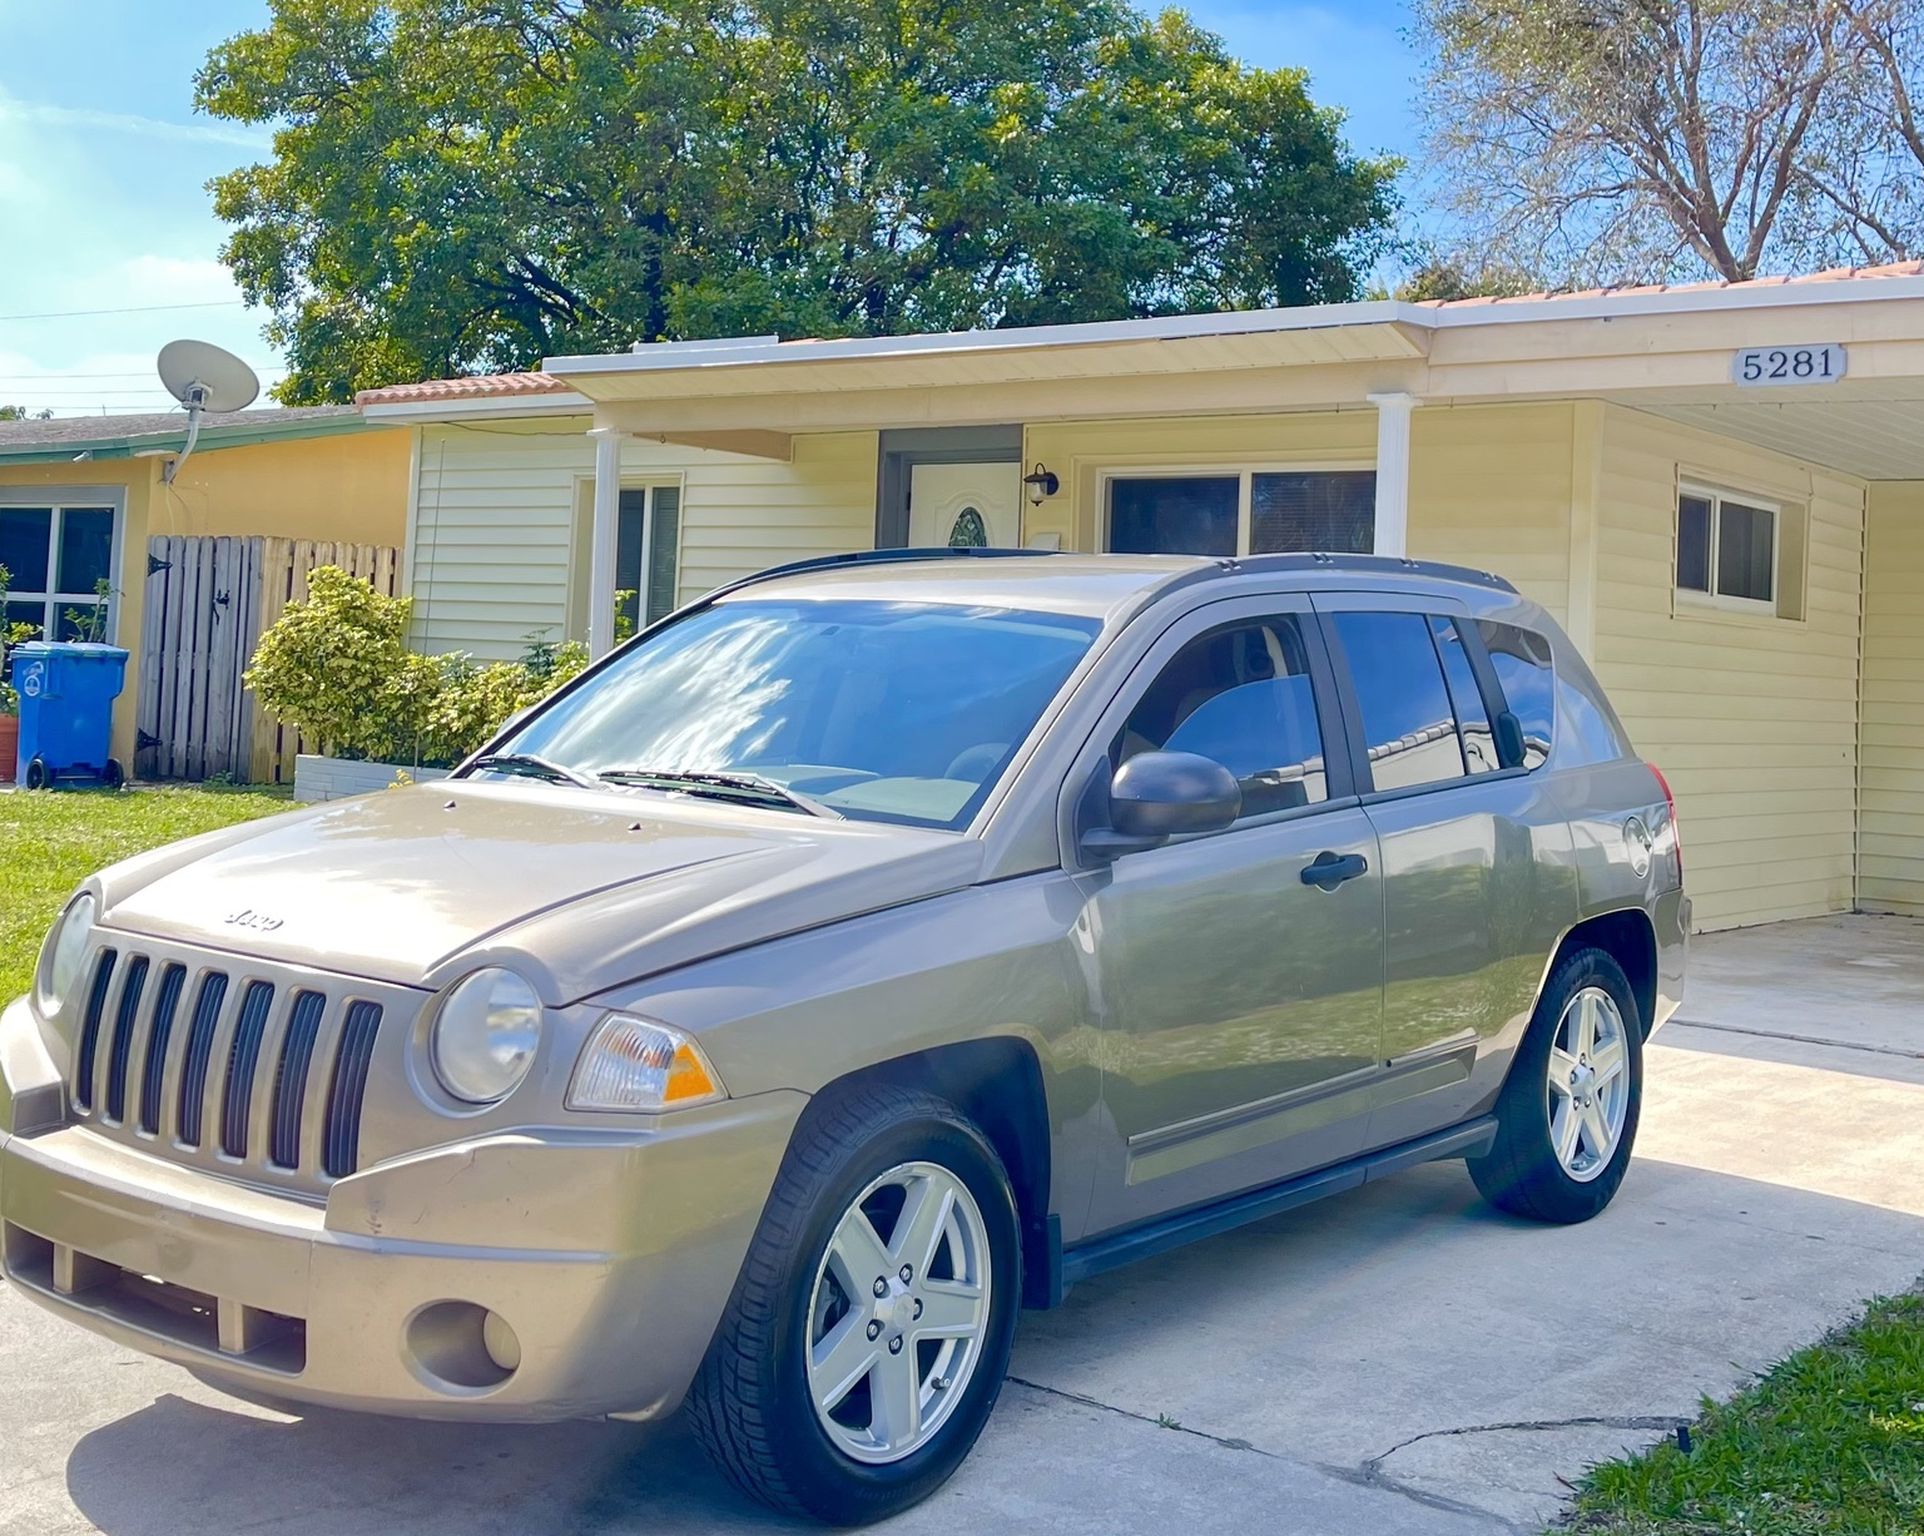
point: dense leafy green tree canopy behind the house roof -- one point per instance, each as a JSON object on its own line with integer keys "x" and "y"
{"x": 470, "y": 186}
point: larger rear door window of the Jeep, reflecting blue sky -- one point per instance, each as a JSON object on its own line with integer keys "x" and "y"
{"x": 1407, "y": 719}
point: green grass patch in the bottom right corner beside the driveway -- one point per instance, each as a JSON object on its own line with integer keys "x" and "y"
{"x": 1831, "y": 1443}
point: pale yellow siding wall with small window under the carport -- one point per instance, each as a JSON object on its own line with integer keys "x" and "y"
{"x": 1752, "y": 719}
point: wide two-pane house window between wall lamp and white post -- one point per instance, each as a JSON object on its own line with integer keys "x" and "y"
{"x": 1242, "y": 511}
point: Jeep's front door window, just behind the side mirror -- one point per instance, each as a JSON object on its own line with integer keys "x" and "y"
{"x": 1240, "y": 696}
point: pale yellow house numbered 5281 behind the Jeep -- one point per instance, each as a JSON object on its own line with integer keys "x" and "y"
{"x": 1717, "y": 488}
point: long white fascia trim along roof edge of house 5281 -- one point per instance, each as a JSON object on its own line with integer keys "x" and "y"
{"x": 755, "y": 351}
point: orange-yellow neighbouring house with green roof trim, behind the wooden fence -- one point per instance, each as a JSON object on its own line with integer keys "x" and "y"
{"x": 82, "y": 498}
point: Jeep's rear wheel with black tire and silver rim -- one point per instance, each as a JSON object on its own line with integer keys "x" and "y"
{"x": 1569, "y": 1112}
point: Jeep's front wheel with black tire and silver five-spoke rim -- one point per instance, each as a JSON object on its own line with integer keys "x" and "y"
{"x": 871, "y": 1329}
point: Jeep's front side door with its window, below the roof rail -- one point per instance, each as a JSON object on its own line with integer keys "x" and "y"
{"x": 1242, "y": 1004}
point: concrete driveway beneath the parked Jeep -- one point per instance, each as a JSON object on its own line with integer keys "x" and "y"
{"x": 1400, "y": 1360}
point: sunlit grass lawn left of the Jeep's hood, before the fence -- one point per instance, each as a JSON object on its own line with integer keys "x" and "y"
{"x": 51, "y": 842}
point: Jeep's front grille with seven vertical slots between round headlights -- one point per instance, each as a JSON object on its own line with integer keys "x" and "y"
{"x": 243, "y": 1067}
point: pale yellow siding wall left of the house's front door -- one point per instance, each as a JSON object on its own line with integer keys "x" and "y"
{"x": 499, "y": 528}
